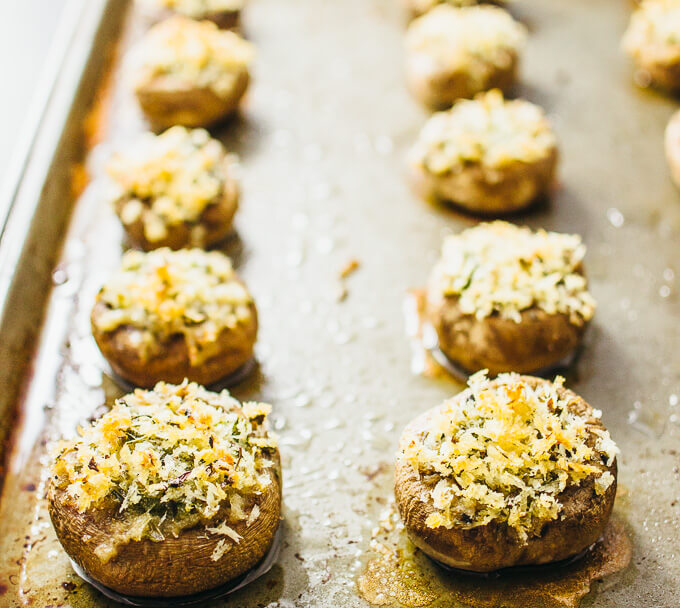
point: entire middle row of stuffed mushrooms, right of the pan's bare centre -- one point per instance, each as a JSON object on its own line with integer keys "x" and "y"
{"x": 516, "y": 470}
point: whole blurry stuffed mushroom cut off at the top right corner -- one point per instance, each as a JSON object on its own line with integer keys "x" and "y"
{"x": 653, "y": 42}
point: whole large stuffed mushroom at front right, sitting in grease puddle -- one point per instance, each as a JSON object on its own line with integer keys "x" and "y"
{"x": 514, "y": 471}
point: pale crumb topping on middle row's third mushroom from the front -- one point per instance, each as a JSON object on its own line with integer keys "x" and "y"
{"x": 487, "y": 130}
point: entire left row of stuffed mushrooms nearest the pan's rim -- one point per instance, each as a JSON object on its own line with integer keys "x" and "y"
{"x": 176, "y": 490}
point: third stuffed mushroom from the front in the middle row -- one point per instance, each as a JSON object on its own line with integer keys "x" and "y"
{"x": 488, "y": 156}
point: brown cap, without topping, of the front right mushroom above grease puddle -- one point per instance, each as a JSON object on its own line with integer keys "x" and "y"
{"x": 495, "y": 545}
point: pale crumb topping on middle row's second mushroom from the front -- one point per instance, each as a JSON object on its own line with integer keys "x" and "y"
{"x": 501, "y": 268}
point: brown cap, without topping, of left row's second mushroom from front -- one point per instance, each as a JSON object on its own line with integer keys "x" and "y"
{"x": 171, "y": 362}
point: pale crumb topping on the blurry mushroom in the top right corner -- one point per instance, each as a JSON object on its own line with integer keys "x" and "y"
{"x": 653, "y": 23}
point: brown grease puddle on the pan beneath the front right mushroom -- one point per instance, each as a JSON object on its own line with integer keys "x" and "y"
{"x": 401, "y": 575}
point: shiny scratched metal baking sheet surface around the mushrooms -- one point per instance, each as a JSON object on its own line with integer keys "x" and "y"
{"x": 322, "y": 142}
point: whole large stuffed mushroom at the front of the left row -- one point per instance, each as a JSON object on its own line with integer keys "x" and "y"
{"x": 172, "y": 492}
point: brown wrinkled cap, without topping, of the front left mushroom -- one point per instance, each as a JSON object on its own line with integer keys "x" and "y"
{"x": 175, "y": 566}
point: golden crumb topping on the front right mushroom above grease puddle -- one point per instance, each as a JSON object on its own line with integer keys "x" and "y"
{"x": 504, "y": 451}
